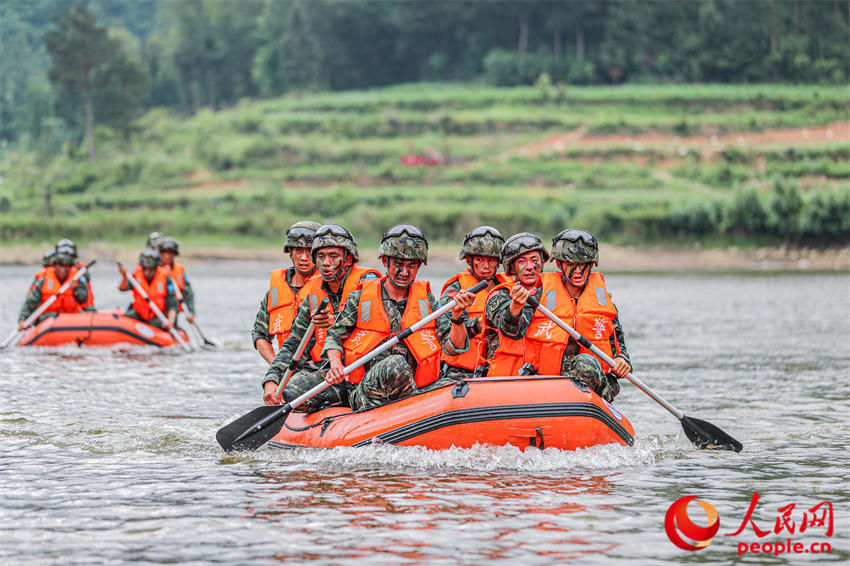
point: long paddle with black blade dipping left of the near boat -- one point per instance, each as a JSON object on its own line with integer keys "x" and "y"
{"x": 254, "y": 429}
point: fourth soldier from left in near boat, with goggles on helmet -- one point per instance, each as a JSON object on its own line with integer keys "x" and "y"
{"x": 481, "y": 249}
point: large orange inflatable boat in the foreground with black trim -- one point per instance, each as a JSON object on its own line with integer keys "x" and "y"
{"x": 538, "y": 411}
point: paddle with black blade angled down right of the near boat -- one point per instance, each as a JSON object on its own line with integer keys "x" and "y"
{"x": 703, "y": 434}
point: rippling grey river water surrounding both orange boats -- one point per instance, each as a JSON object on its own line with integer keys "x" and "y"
{"x": 109, "y": 457}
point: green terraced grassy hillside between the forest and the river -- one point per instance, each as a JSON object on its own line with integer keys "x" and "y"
{"x": 636, "y": 164}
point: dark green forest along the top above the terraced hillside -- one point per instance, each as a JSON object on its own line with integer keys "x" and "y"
{"x": 211, "y": 53}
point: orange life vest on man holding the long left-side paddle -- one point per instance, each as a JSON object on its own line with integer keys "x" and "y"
{"x": 373, "y": 327}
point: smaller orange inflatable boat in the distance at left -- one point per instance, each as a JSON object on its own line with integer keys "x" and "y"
{"x": 100, "y": 328}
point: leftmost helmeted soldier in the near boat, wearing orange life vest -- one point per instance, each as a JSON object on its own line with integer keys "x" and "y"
{"x": 297, "y": 243}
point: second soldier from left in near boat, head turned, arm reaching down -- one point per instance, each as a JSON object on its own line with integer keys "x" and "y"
{"x": 335, "y": 254}
